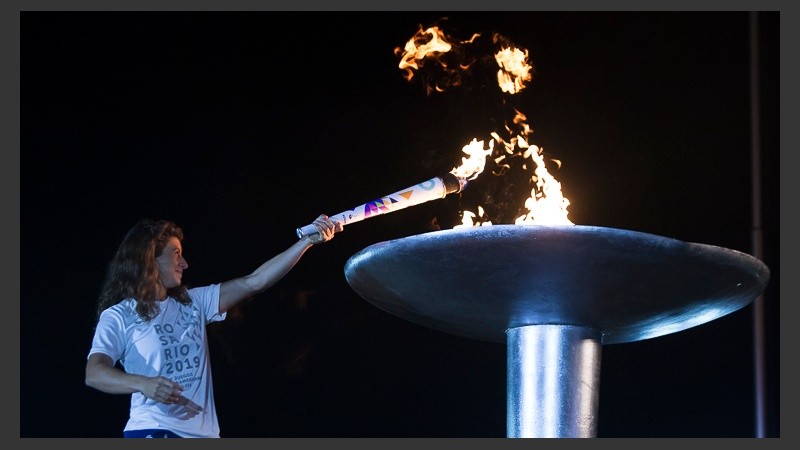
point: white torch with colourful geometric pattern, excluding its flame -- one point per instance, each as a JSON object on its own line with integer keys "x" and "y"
{"x": 435, "y": 188}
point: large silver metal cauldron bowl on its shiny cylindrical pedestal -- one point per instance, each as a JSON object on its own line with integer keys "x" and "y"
{"x": 554, "y": 294}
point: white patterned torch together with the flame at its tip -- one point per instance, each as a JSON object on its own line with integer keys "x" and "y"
{"x": 435, "y": 188}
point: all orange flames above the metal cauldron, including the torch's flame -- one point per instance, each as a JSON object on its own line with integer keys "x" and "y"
{"x": 546, "y": 204}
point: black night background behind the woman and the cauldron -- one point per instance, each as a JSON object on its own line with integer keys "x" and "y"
{"x": 242, "y": 126}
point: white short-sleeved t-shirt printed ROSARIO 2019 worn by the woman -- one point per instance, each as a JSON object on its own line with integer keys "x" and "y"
{"x": 174, "y": 345}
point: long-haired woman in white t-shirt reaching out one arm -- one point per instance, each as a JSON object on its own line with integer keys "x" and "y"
{"x": 155, "y": 327}
